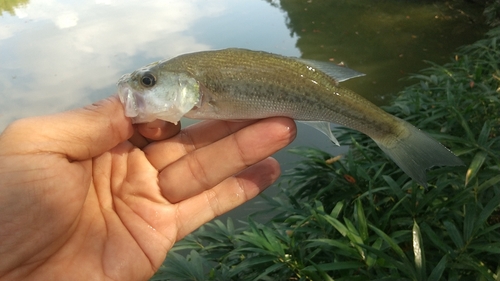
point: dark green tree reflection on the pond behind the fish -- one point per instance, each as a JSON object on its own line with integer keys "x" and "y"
{"x": 385, "y": 39}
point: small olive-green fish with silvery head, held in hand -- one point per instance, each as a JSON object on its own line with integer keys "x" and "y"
{"x": 241, "y": 84}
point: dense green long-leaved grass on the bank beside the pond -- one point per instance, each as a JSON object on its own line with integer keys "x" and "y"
{"x": 359, "y": 217}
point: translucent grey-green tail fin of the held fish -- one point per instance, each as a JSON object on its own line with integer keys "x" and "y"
{"x": 416, "y": 152}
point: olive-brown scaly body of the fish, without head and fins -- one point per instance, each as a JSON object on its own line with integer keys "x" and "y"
{"x": 271, "y": 85}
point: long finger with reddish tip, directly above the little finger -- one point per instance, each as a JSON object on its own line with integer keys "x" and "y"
{"x": 207, "y": 166}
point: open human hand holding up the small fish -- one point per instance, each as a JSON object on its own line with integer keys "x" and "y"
{"x": 78, "y": 201}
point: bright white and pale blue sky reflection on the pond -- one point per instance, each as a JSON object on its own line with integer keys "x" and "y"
{"x": 58, "y": 55}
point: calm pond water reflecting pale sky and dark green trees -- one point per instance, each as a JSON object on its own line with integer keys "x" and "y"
{"x": 57, "y": 55}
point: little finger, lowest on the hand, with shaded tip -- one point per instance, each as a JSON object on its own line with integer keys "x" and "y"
{"x": 226, "y": 196}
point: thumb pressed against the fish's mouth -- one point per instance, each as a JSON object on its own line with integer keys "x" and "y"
{"x": 79, "y": 134}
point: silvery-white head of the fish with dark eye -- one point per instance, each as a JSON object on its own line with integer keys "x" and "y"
{"x": 151, "y": 93}
